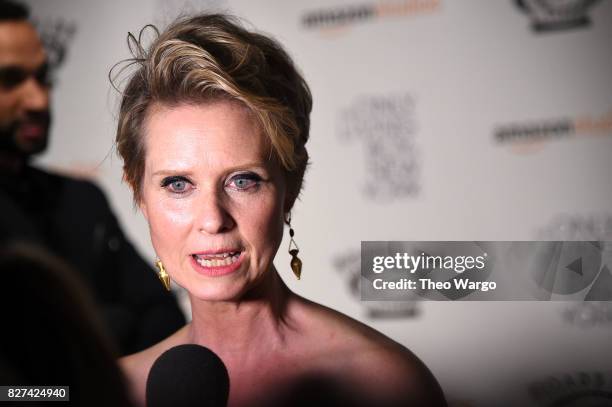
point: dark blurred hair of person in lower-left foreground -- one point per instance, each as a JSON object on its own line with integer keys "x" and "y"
{"x": 51, "y": 333}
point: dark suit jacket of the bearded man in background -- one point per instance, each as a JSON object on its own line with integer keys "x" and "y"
{"x": 72, "y": 219}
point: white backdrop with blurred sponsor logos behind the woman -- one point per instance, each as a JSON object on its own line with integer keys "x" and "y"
{"x": 410, "y": 103}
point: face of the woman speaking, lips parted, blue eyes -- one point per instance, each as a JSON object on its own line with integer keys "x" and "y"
{"x": 212, "y": 196}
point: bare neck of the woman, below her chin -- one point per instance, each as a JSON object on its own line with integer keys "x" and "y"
{"x": 238, "y": 330}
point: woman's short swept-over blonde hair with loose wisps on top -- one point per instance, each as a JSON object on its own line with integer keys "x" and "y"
{"x": 210, "y": 57}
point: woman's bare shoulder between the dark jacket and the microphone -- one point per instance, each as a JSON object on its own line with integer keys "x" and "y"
{"x": 136, "y": 366}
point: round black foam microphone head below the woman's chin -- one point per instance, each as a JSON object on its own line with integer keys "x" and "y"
{"x": 188, "y": 375}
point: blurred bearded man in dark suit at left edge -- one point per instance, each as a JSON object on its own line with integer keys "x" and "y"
{"x": 69, "y": 217}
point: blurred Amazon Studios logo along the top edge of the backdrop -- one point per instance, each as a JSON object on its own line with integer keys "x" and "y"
{"x": 353, "y": 14}
